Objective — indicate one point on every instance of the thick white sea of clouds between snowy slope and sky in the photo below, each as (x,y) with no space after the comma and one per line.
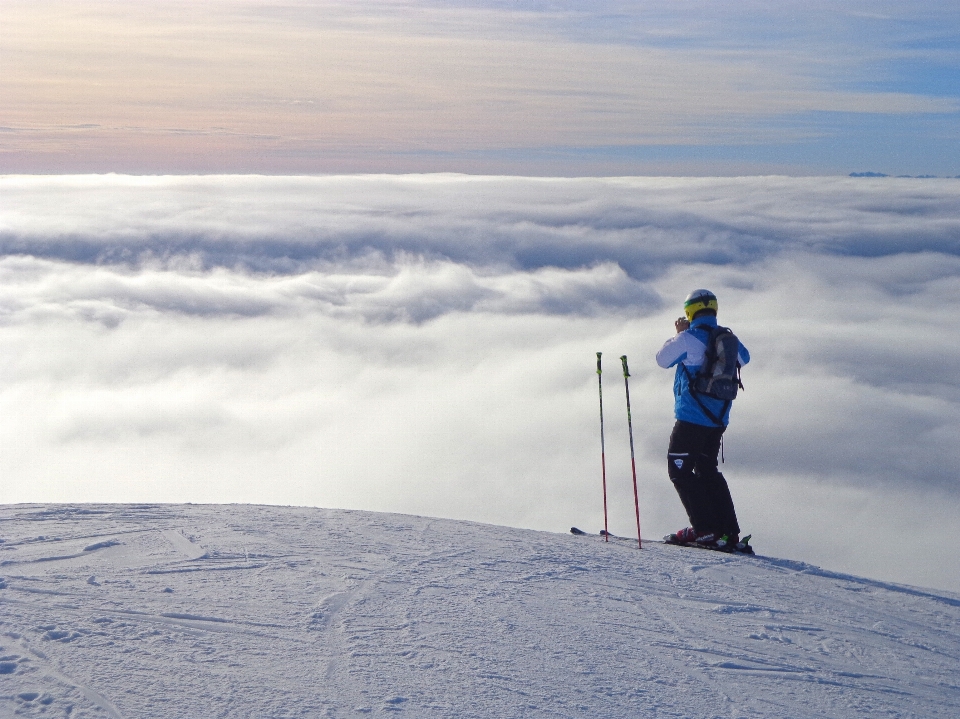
(427,344)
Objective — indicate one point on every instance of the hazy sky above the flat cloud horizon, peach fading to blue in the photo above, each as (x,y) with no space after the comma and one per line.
(536,88)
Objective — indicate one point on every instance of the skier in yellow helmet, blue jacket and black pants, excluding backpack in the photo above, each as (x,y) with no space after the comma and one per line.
(701,420)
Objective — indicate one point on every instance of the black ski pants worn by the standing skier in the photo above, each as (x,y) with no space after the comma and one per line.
(692,465)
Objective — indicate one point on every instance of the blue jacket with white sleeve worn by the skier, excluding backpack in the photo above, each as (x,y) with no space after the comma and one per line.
(686,350)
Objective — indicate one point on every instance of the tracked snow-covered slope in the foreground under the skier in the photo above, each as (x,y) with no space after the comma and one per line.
(197,611)
